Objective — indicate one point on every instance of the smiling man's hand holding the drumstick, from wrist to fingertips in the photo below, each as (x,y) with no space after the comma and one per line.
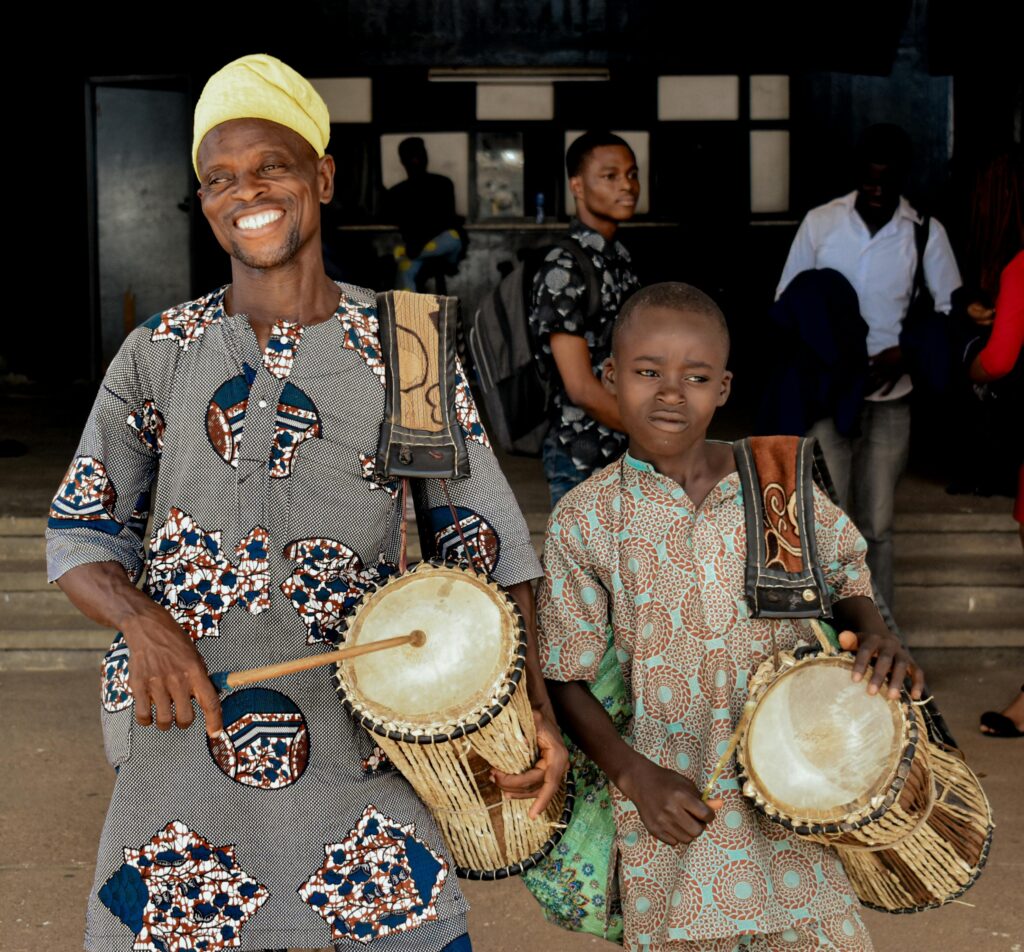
(166,672)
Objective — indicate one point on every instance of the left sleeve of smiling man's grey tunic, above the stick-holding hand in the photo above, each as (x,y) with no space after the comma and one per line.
(101,508)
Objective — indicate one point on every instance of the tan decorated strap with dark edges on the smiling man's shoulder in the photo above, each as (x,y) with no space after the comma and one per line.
(420,437)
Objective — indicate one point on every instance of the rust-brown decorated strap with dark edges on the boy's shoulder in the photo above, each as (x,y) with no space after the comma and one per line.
(784,578)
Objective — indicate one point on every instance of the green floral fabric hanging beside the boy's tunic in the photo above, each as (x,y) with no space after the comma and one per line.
(577,886)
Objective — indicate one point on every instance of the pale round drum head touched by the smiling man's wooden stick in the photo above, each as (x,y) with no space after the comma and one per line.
(473,637)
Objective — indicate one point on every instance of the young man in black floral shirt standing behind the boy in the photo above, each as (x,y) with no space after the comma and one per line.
(575,334)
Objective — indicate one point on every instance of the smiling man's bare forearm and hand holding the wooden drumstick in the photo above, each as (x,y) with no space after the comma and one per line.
(165,671)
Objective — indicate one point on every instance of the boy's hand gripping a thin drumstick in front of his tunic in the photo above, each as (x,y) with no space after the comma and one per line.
(669,804)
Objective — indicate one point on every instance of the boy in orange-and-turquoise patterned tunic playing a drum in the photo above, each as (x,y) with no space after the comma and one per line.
(655,544)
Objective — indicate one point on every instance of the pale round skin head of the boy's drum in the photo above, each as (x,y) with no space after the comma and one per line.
(820,747)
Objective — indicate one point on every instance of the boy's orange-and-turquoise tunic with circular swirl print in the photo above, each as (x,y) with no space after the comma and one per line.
(628,548)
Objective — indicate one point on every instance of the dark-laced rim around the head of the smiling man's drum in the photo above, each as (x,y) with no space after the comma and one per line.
(483,717)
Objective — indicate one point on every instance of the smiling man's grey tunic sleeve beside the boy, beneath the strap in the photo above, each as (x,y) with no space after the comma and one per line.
(489,516)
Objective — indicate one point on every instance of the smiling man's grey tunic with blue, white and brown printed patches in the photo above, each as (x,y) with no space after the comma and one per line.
(287,831)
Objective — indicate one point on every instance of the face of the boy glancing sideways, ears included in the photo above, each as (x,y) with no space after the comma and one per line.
(669,376)
